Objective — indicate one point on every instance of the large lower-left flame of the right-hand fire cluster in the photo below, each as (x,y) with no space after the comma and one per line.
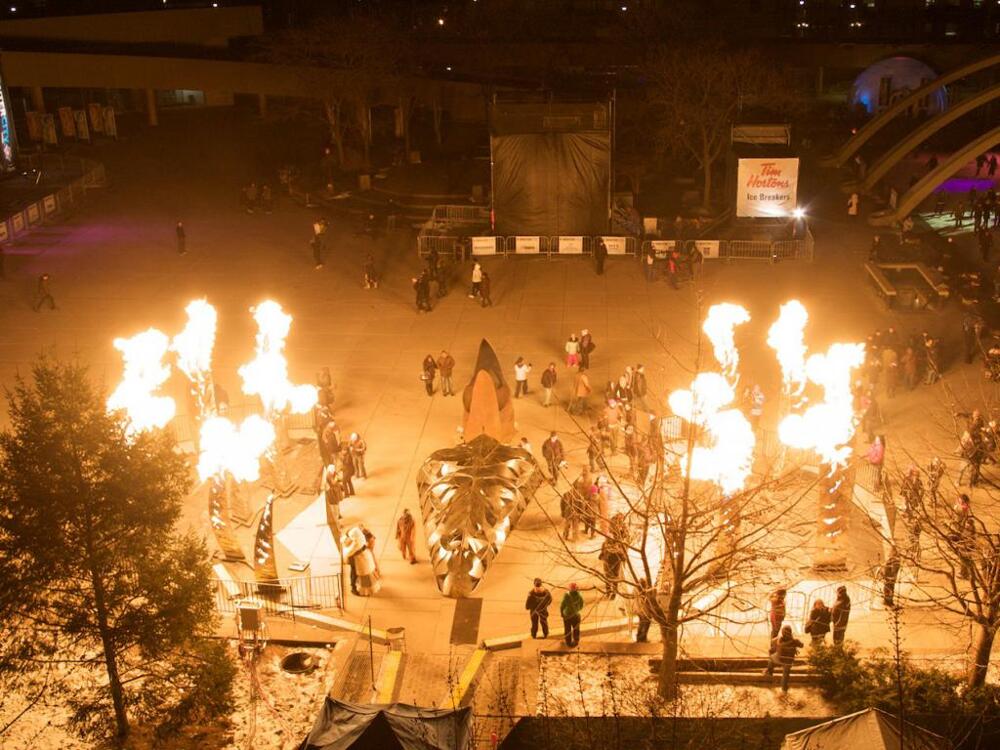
(728,459)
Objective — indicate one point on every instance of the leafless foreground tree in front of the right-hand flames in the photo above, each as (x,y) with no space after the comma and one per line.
(699,548)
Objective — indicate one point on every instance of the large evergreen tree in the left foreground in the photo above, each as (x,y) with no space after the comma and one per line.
(94,568)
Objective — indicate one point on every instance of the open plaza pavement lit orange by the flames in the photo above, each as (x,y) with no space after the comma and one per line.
(115,272)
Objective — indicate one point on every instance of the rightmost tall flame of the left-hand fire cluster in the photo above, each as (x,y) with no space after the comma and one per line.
(267,374)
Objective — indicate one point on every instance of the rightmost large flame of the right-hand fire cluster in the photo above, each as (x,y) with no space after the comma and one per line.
(827,427)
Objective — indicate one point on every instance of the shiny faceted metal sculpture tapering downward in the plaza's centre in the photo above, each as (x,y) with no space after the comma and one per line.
(471,497)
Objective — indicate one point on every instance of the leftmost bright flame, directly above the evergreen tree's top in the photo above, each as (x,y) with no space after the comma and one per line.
(144,373)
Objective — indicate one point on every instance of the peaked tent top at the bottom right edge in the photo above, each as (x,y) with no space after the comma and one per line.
(870,729)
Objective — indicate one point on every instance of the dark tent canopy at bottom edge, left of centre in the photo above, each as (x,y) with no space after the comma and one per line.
(398,726)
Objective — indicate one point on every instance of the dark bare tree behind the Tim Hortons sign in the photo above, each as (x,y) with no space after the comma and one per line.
(699,91)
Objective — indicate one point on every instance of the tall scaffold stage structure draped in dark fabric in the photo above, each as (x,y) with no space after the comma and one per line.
(551,167)
